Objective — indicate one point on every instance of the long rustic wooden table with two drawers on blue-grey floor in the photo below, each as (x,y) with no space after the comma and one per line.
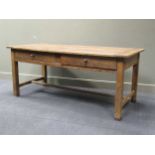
(81,57)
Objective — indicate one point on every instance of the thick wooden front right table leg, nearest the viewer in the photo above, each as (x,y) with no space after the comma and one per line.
(119,90)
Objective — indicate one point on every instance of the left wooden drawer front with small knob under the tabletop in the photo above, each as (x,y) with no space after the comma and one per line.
(38,58)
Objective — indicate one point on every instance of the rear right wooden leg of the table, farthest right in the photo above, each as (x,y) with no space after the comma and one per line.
(134,81)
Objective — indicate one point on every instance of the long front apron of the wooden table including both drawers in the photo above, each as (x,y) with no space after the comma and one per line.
(62,60)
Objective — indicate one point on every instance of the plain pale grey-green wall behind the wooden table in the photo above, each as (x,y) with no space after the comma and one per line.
(122,33)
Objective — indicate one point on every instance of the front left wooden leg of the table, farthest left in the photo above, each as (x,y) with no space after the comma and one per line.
(15,76)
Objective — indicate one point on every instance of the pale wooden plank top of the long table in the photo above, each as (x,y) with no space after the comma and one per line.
(80,50)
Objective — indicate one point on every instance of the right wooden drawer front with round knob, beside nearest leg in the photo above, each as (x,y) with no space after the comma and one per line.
(88,62)
